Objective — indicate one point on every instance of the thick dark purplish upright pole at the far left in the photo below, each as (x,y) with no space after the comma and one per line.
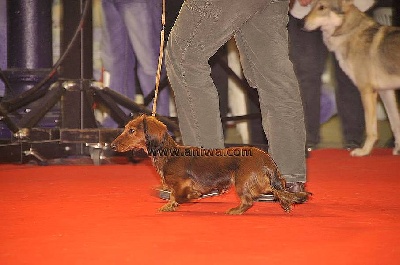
(29,44)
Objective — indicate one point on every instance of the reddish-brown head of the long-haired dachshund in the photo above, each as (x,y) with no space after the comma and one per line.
(144,132)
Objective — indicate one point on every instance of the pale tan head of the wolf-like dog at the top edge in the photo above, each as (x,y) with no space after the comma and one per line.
(327,15)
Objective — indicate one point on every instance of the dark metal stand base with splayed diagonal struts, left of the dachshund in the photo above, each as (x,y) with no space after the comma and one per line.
(88,137)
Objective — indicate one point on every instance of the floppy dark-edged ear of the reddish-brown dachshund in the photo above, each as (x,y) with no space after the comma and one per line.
(155,133)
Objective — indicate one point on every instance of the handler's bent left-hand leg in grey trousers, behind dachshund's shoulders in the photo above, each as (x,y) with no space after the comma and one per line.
(201,28)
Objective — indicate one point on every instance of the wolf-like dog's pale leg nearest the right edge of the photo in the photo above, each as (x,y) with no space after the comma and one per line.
(389,101)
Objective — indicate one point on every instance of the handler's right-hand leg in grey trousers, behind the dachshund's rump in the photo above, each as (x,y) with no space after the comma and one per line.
(263,45)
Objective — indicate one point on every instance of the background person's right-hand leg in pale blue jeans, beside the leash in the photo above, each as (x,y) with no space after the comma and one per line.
(142,20)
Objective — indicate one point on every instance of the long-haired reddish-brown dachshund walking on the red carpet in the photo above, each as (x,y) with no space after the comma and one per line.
(190,172)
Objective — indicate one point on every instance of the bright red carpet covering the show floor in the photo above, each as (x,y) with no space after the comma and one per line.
(108,215)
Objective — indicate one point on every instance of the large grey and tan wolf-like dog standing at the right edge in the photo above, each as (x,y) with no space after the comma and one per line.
(369,53)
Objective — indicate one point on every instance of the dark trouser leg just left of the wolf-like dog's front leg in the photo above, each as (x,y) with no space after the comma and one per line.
(350,109)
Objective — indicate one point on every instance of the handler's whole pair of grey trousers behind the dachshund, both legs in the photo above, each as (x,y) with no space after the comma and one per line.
(259,28)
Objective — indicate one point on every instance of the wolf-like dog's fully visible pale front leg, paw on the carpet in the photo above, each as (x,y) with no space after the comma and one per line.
(369,100)
